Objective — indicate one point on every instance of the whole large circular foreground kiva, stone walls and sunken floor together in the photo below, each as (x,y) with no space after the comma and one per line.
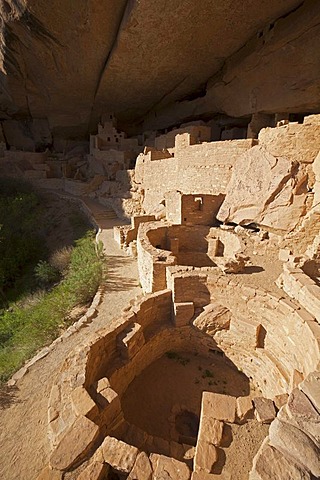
(264,343)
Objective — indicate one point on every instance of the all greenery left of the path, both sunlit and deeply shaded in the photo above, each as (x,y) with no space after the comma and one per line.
(32,317)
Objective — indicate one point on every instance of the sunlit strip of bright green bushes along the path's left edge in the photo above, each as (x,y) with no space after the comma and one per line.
(24,330)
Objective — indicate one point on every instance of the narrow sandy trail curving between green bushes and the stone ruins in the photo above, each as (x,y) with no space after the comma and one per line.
(24,449)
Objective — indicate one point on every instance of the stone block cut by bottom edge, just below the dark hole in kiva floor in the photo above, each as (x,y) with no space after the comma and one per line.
(169,467)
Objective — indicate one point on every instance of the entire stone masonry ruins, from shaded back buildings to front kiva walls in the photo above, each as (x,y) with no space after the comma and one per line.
(194,269)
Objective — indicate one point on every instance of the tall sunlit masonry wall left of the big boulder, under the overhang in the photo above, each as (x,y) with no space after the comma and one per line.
(204,168)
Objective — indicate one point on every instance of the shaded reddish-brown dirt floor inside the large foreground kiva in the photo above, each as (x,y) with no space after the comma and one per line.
(170,383)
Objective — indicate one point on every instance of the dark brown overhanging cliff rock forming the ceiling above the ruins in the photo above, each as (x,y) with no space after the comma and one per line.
(156,63)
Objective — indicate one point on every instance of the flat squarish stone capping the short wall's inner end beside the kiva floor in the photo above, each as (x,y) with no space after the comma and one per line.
(221,407)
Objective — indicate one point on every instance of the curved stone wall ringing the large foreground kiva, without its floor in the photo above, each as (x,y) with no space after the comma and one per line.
(273,341)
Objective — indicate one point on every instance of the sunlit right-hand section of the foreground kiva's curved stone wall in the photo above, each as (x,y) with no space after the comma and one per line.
(271,339)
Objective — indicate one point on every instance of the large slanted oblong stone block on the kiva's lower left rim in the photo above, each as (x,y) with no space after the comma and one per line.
(75,444)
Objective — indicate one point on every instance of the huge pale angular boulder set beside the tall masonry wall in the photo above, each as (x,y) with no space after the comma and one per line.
(263,190)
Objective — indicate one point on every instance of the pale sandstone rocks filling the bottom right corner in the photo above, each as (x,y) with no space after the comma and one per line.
(292,448)
